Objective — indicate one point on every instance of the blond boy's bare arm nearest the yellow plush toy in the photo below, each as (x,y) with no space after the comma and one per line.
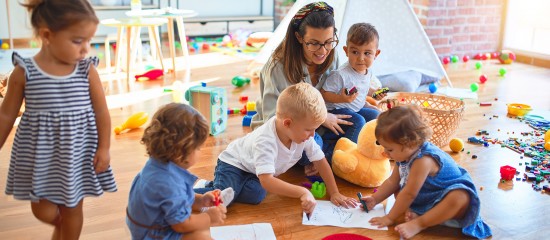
(335,196)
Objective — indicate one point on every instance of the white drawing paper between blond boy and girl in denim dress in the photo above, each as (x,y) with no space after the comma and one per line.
(327,214)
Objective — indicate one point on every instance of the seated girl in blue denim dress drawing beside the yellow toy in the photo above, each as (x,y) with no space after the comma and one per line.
(429,187)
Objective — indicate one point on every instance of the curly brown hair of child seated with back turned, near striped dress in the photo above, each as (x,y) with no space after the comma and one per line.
(175,131)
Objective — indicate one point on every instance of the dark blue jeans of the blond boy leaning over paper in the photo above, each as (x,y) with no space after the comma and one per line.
(246,185)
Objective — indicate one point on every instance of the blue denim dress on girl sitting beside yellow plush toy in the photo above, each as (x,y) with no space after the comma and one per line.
(450,177)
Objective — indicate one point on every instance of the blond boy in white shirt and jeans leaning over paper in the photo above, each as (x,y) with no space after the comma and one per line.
(251,164)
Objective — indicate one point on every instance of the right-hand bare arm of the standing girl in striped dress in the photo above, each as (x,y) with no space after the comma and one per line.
(103,122)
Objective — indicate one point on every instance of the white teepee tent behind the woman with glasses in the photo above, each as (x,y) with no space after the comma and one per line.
(403,41)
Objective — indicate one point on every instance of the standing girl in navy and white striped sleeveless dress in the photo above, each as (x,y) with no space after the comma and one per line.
(60,152)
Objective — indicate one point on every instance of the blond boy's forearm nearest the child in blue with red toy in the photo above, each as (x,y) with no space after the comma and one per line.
(278,186)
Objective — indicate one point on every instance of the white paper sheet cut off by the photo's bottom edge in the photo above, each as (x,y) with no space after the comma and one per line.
(244,232)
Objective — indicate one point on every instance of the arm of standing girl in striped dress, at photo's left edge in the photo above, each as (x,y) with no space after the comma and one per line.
(12,103)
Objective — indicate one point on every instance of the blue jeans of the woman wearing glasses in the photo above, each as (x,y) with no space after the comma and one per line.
(351,131)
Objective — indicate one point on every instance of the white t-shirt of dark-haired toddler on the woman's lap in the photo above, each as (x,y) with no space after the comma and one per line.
(346,77)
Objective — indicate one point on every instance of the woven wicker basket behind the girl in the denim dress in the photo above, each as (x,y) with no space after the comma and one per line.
(444,113)
